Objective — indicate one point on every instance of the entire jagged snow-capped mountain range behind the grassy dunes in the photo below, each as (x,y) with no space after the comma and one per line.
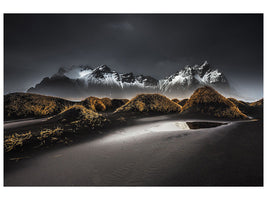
(84,81)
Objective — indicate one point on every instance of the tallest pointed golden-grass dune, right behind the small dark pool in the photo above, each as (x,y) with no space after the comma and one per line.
(206,101)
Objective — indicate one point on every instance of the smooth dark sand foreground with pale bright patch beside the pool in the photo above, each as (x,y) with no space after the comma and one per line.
(153,153)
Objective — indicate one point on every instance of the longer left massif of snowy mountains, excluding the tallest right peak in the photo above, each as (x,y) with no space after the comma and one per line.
(83,81)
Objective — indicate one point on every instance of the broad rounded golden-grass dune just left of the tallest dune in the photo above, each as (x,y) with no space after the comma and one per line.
(154,103)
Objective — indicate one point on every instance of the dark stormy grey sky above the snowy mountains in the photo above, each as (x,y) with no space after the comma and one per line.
(157,45)
